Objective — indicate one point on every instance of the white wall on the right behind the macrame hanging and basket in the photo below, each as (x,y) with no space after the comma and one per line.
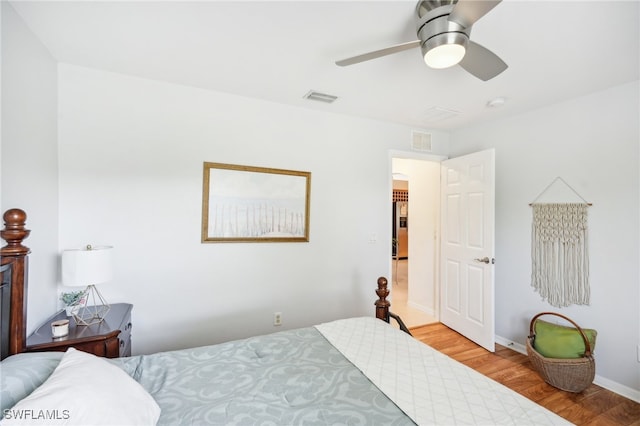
(593,144)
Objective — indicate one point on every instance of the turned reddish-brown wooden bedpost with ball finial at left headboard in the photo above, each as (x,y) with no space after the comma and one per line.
(15,254)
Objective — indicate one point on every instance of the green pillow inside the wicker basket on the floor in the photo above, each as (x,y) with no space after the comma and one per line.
(557,341)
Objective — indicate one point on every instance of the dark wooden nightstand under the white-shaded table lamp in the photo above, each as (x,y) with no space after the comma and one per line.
(111,338)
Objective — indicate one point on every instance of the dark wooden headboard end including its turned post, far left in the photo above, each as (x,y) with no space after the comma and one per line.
(14,259)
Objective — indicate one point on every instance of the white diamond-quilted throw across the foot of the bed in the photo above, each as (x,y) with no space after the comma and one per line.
(430,387)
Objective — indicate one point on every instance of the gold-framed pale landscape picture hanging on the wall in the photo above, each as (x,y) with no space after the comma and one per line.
(254,204)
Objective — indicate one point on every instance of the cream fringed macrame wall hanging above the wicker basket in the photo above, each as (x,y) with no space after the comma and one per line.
(559,251)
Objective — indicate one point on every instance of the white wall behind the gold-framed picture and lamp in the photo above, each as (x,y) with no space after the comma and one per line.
(131,154)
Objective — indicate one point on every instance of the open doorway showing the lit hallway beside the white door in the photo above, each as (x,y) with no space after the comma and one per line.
(414,292)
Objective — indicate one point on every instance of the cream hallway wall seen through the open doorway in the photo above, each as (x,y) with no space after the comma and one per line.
(423,219)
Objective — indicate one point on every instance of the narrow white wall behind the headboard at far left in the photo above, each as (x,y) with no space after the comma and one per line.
(29,167)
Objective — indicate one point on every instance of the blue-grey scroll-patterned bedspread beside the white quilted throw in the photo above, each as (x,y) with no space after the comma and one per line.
(287,378)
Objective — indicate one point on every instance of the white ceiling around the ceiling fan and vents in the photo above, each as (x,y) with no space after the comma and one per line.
(278,51)
